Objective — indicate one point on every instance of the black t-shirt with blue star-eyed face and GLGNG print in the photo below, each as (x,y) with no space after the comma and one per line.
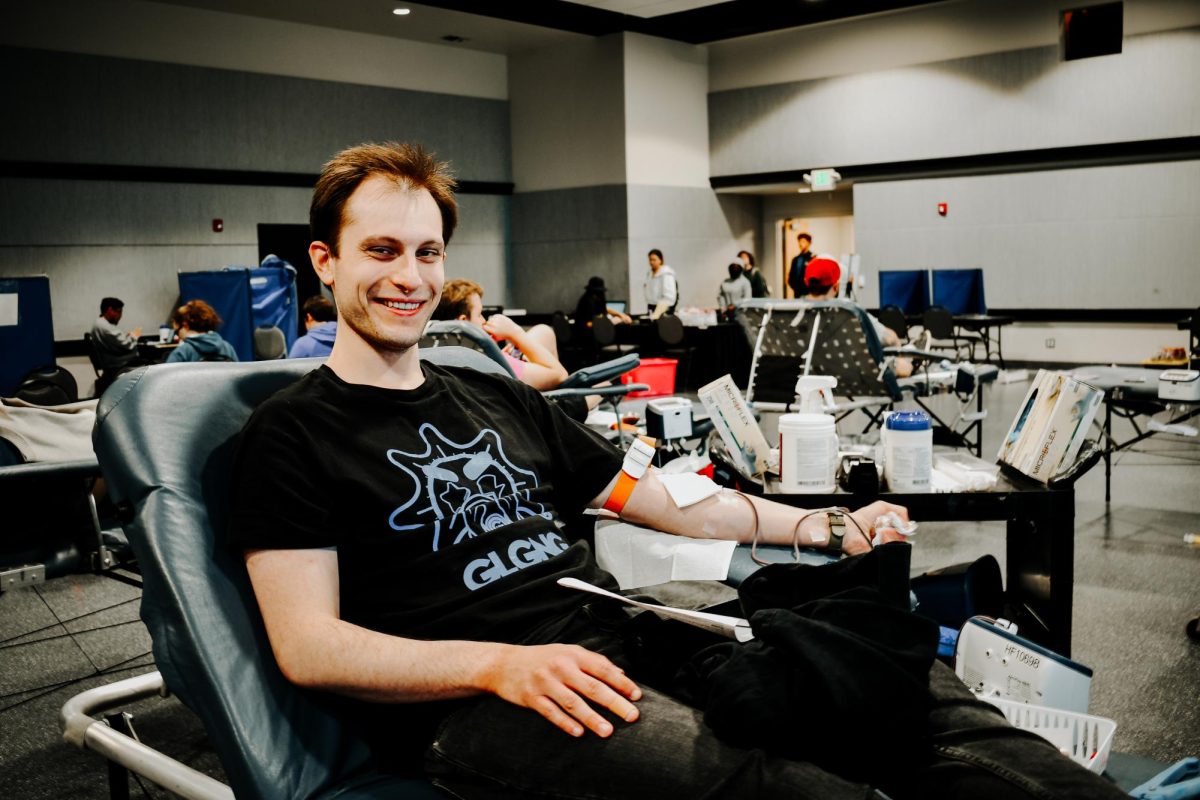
(445,502)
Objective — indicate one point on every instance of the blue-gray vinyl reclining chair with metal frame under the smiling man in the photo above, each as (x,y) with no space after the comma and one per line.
(274,741)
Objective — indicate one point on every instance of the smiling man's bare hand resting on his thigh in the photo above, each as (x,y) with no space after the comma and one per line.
(560,682)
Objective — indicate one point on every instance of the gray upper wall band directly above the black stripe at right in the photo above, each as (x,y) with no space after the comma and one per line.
(1001,103)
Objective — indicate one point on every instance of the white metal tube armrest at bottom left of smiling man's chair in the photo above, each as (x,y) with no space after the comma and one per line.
(83,731)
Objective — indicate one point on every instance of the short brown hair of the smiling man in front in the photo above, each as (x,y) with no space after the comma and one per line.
(407,165)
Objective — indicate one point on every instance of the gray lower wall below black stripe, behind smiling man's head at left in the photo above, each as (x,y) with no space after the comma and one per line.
(98,238)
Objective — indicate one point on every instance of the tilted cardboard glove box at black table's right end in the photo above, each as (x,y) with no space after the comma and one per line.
(1051,429)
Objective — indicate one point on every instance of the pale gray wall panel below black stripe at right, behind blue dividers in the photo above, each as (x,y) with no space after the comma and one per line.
(1103,238)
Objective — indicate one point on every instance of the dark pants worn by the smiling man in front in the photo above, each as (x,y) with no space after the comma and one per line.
(491,749)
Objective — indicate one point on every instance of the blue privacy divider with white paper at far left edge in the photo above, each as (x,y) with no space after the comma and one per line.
(27,329)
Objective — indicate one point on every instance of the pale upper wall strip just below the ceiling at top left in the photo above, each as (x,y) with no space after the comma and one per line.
(154,32)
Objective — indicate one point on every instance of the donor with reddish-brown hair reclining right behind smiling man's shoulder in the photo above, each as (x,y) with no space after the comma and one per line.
(532,354)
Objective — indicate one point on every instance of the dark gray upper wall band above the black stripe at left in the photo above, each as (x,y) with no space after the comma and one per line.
(86,109)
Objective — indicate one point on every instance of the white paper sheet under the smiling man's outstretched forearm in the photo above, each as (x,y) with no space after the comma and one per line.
(640,557)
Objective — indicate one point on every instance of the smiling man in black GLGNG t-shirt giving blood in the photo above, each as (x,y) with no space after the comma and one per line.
(403,536)
